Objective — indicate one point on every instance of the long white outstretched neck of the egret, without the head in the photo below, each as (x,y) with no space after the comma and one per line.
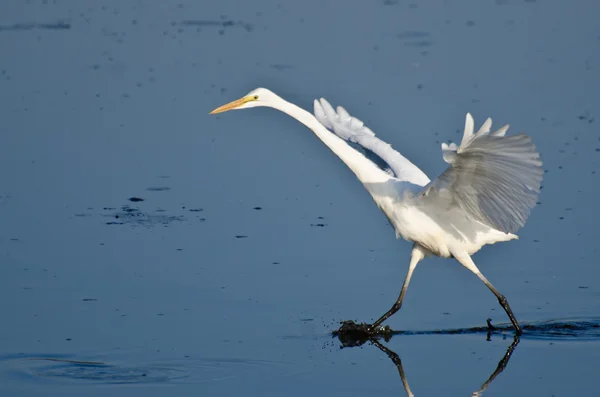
(363,168)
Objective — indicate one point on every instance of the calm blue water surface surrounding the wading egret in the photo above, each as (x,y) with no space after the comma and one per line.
(252,240)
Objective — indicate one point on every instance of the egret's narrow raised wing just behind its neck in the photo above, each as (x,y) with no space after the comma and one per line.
(353,130)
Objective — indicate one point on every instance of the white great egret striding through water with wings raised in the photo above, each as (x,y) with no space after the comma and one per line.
(483,197)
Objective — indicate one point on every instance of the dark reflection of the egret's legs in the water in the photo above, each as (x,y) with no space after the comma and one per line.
(398,362)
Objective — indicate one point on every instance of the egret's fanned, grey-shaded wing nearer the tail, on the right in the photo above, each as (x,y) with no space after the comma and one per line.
(495,179)
